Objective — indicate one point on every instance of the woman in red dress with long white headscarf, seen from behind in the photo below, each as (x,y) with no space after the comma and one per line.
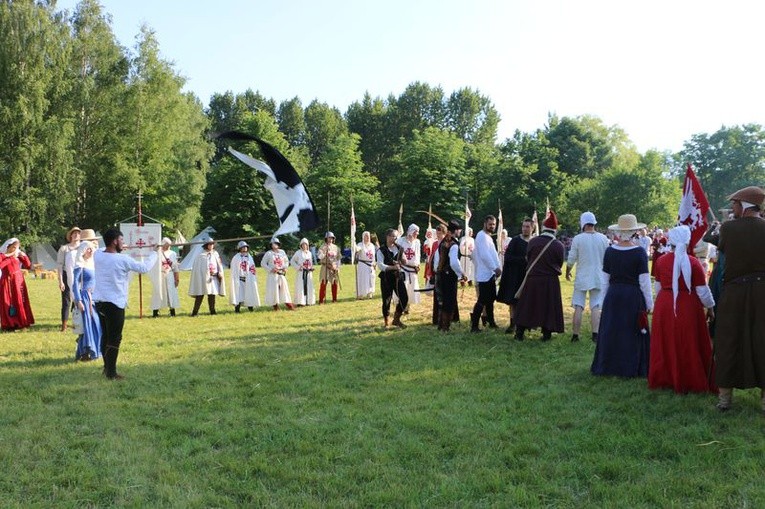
(681,350)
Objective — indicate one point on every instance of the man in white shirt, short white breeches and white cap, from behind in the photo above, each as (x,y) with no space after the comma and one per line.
(587,250)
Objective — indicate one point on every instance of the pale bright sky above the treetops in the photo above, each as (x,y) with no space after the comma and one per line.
(662,70)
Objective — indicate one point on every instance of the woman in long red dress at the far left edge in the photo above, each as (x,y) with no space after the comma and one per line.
(15,311)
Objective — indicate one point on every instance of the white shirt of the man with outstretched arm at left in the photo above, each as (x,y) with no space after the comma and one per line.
(112,271)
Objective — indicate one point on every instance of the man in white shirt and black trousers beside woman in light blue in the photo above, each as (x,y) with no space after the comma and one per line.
(111,292)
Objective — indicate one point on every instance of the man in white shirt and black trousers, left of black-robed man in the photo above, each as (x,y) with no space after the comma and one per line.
(487,269)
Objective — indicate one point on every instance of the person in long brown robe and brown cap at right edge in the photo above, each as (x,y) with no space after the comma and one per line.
(740,324)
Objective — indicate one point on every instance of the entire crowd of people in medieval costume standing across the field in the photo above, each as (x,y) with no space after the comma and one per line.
(690,305)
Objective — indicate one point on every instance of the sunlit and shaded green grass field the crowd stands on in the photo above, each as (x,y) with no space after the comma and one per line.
(323,407)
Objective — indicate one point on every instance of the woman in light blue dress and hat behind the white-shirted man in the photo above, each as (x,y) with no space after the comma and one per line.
(89,340)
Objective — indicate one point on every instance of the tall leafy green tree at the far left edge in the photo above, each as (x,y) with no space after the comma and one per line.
(35,133)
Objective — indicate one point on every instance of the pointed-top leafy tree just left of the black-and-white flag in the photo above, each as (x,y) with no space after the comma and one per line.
(165,153)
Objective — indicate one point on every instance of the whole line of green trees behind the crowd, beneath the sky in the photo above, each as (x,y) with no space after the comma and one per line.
(86,123)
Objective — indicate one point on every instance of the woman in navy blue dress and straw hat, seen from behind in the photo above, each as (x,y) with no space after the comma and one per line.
(623,339)
